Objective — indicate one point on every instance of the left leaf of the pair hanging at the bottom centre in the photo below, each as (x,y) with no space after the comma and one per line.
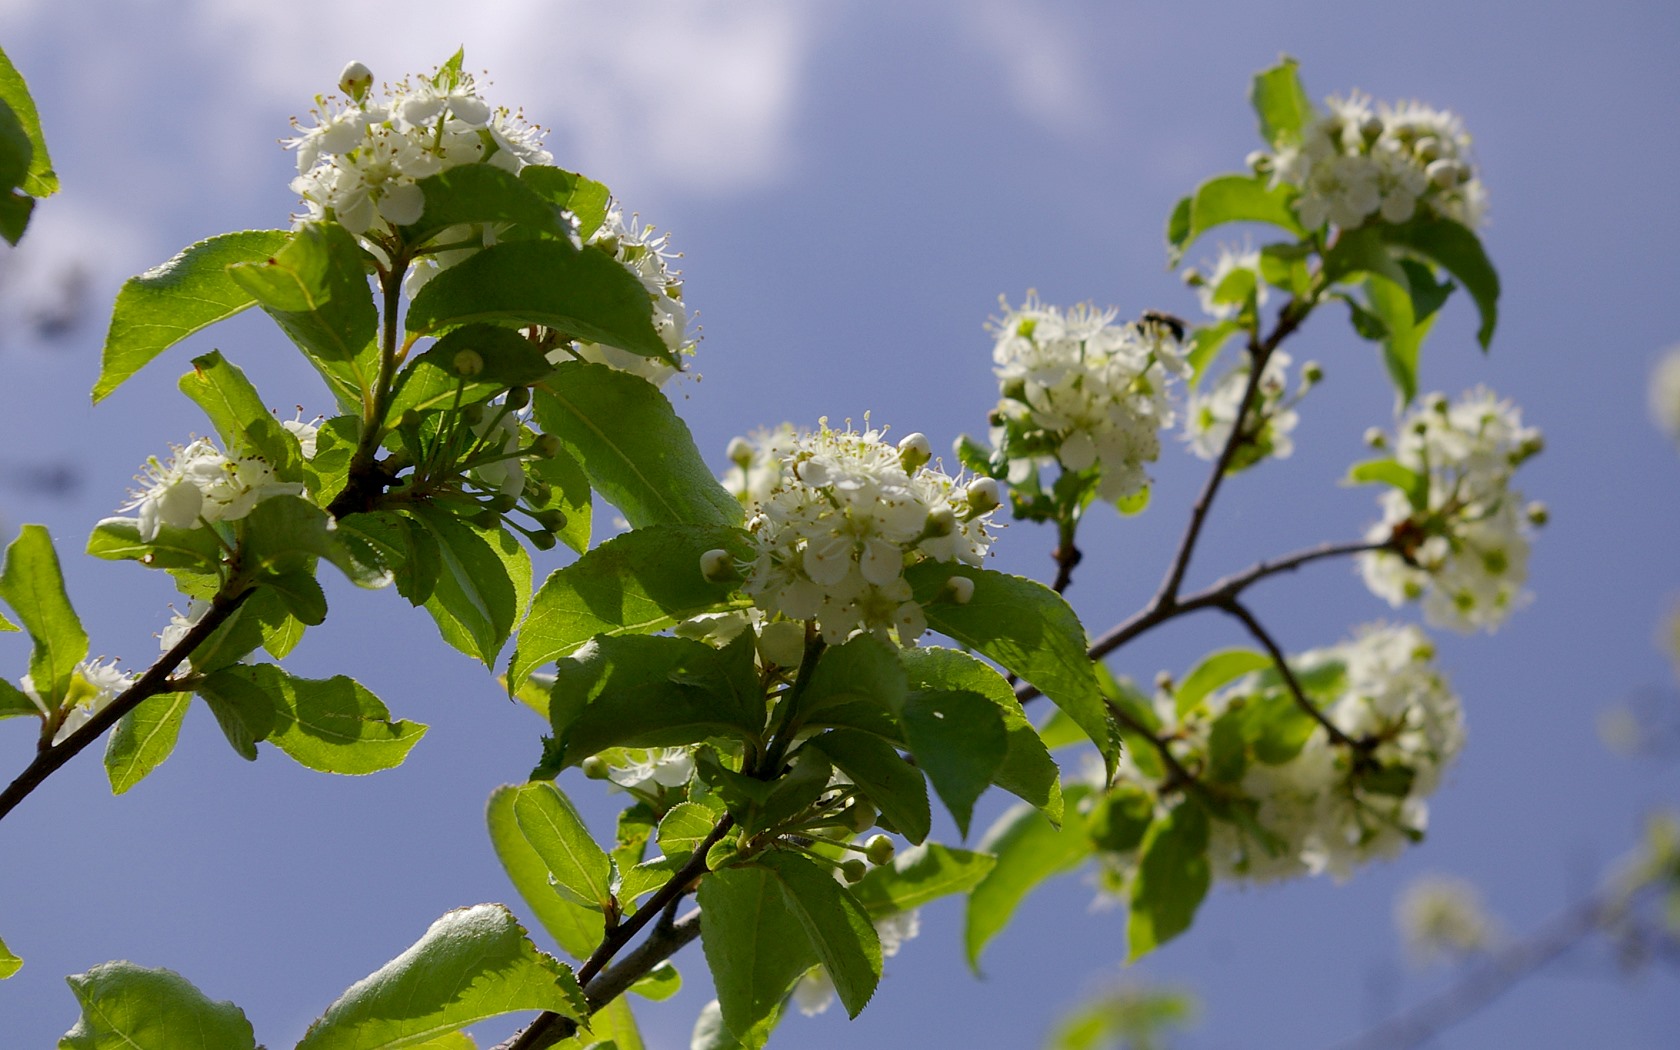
(755,945)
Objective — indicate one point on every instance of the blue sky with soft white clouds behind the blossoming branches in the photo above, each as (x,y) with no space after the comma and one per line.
(854,186)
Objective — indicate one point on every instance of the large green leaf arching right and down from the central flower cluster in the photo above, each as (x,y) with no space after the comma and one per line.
(1031,631)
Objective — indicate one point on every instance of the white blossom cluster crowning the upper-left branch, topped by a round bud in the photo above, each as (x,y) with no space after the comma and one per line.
(362,160)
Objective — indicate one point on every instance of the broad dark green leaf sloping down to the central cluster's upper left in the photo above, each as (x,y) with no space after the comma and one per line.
(638,453)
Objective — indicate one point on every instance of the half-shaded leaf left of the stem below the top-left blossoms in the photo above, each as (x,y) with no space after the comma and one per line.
(317,290)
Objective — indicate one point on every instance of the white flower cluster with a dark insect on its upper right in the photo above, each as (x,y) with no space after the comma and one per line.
(1081,391)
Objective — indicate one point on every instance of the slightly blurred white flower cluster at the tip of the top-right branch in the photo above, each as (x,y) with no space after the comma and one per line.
(1389,164)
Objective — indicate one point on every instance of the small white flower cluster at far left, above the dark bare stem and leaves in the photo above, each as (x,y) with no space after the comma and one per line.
(201,485)
